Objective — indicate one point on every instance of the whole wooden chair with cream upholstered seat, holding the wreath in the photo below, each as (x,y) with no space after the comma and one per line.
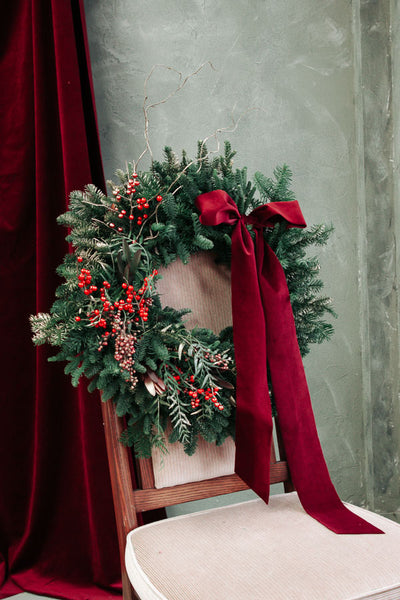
(246,551)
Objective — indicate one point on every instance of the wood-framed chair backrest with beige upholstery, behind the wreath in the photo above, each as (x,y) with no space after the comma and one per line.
(174,478)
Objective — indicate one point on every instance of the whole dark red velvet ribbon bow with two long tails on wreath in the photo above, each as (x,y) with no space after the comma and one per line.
(264,332)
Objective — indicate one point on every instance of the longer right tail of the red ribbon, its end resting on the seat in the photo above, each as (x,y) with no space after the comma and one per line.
(303,450)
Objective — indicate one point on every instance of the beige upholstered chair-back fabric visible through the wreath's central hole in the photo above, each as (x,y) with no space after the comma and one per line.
(202,286)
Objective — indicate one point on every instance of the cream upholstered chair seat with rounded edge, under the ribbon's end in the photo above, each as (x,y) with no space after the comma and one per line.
(254,551)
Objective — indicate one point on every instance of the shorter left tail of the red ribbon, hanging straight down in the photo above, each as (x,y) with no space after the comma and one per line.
(253,406)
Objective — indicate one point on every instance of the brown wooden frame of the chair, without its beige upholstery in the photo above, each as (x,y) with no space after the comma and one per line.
(129,501)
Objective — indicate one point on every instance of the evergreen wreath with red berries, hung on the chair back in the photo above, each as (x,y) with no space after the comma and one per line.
(108,319)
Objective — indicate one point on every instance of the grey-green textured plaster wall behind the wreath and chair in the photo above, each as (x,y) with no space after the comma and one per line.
(307,84)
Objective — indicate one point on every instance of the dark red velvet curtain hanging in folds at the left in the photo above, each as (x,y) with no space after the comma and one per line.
(57,530)
